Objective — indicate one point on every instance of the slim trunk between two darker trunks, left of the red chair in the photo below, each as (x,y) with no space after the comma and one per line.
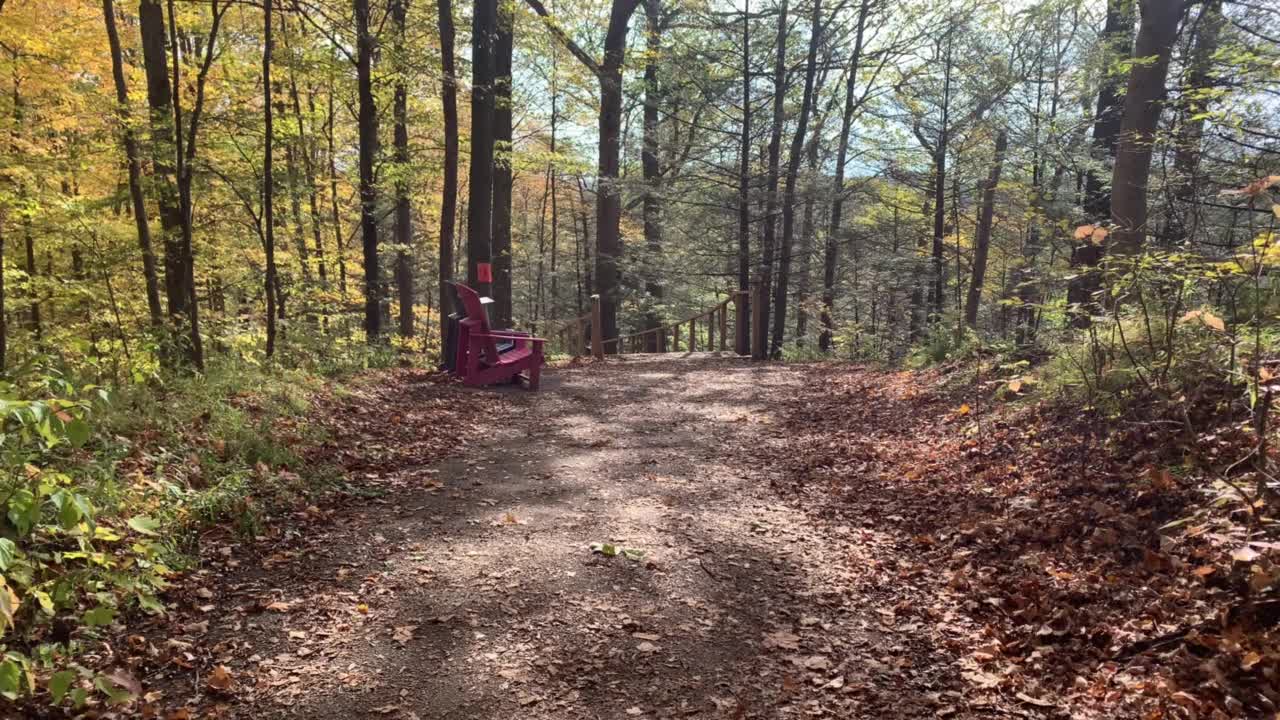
(404,215)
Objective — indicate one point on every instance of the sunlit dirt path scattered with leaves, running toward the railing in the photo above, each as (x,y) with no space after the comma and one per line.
(469,590)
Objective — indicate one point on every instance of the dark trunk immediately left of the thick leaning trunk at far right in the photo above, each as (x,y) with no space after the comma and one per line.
(1118,44)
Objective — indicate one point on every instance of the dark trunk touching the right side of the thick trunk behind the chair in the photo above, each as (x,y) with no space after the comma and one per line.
(502,171)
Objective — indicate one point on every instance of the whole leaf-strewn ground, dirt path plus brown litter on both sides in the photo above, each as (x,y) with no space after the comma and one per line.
(710,539)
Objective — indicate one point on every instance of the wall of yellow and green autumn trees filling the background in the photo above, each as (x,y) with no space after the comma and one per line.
(893,175)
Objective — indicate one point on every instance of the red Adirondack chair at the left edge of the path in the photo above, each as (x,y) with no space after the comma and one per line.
(479,362)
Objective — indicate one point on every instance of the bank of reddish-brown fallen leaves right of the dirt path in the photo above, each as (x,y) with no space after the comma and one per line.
(1062,568)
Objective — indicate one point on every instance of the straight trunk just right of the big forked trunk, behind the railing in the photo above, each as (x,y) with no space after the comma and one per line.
(652,176)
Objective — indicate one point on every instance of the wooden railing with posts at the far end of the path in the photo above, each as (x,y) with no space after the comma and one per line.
(582,336)
